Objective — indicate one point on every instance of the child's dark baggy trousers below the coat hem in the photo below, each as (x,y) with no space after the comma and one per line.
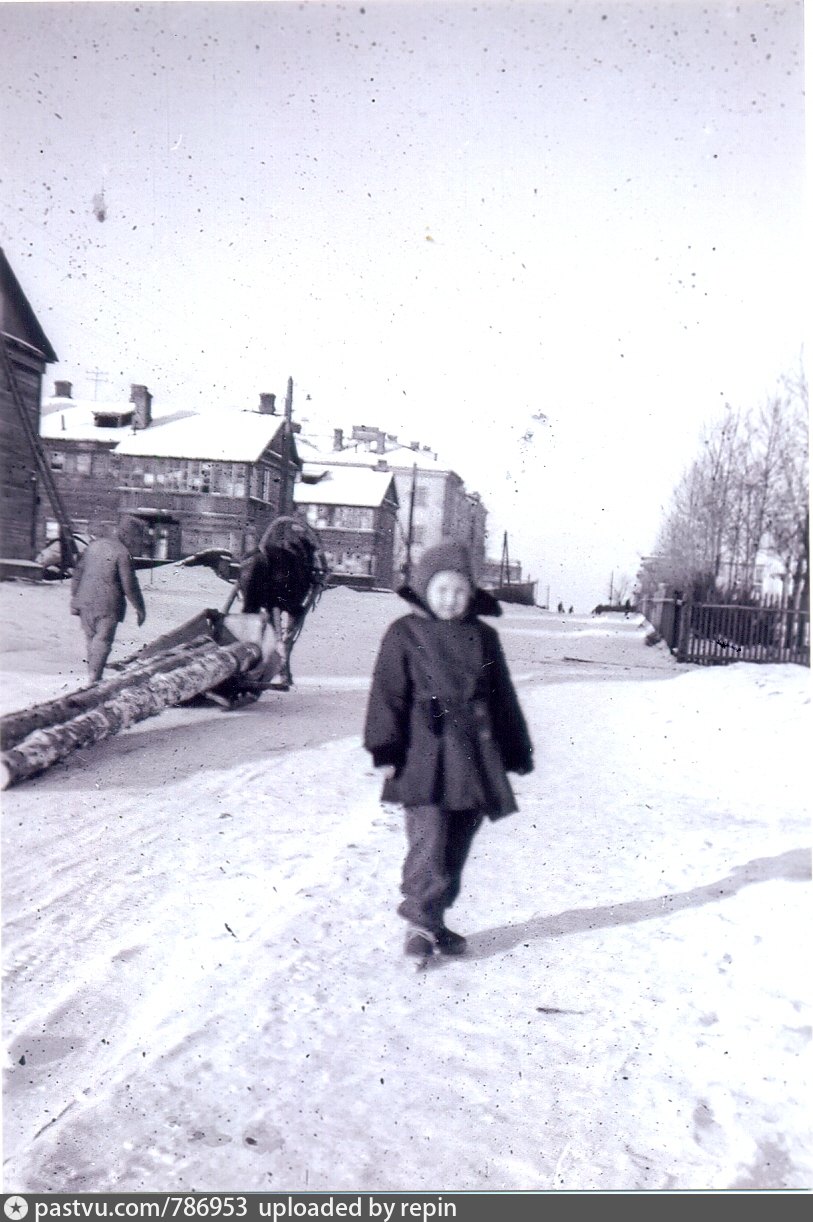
(438,844)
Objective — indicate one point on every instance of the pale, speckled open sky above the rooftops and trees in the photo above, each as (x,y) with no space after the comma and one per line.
(550,240)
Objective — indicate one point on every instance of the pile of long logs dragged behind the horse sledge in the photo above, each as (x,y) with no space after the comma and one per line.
(34,740)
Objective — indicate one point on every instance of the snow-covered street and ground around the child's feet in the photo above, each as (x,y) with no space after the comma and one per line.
(204,987)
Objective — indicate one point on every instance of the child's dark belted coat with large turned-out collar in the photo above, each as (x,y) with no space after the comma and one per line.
(444,712)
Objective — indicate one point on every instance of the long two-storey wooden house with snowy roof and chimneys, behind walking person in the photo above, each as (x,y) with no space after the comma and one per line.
(197,481)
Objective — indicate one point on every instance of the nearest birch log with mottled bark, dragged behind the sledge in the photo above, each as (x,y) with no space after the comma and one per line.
(144,697)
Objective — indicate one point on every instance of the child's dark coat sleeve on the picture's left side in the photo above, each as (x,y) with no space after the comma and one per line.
(387,725)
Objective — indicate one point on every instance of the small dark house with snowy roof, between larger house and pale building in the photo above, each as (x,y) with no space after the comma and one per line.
(354,510)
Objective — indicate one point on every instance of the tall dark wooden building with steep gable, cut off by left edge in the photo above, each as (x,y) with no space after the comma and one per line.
(28,353)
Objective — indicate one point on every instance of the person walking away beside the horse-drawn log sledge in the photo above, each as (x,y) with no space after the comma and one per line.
(105,581)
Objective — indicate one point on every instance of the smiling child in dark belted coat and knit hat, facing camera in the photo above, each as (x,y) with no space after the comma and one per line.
(446,723)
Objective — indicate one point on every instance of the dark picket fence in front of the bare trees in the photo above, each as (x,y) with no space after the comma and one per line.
(718,634)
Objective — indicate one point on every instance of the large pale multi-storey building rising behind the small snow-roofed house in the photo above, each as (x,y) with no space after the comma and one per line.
(433,502)
